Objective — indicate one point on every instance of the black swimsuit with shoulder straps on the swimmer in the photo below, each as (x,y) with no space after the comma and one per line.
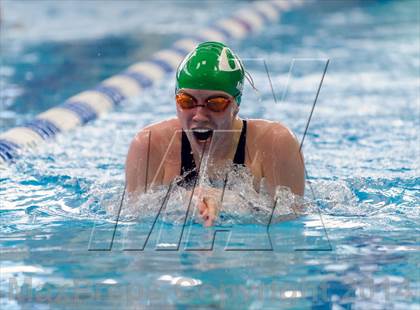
(188,167)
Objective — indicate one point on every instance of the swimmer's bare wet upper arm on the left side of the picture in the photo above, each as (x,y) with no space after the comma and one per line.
(142,164)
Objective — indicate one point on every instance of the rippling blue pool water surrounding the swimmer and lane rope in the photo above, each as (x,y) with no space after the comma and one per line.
(357,248)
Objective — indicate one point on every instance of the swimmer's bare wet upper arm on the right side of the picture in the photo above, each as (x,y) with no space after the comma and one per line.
(283,163)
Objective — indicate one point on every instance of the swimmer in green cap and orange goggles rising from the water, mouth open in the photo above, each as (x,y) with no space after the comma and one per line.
(209,84)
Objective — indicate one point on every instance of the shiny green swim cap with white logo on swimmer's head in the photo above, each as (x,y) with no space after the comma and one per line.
(212,66)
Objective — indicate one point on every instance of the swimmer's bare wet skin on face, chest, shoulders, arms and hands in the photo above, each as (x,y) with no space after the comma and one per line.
(272,151)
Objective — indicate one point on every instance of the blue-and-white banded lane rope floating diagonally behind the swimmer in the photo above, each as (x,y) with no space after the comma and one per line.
(91,104)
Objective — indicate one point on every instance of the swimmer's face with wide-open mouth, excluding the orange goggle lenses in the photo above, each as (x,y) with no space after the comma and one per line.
(201,118)
